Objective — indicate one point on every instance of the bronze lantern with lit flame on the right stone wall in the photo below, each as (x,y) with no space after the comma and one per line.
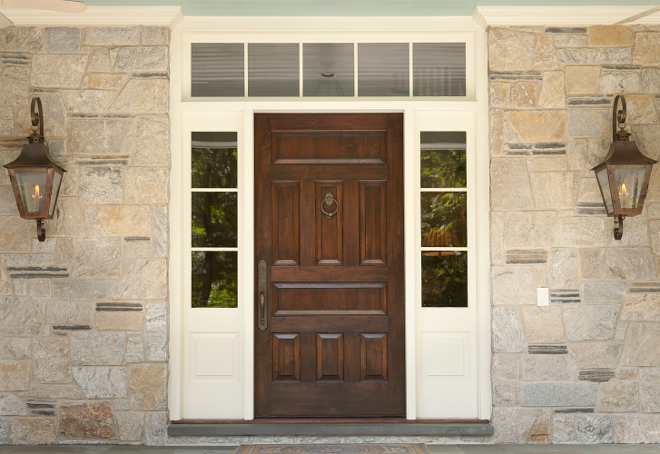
(624,176)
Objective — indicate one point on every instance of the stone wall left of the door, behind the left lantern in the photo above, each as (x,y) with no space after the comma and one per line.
(83,315)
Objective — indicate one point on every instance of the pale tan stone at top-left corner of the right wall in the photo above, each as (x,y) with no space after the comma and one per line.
(510,51)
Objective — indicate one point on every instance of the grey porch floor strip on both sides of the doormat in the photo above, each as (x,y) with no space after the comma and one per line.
(460,448)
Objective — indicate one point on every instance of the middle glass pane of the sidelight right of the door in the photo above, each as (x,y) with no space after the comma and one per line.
(444,220)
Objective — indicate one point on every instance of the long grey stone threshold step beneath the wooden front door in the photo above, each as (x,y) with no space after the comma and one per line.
(329,426)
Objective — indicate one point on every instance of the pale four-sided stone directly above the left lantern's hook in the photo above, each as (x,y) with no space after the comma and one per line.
(61,71)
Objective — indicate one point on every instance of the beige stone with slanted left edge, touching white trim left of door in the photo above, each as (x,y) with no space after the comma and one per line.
(142,96)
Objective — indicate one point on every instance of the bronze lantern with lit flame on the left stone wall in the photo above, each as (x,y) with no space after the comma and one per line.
(36,179)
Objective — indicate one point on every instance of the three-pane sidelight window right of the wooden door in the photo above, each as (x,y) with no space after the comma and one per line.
(443,193)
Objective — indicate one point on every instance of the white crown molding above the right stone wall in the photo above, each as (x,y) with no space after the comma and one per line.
(486,16)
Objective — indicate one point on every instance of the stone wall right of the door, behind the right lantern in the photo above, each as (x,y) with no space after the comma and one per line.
(586,369)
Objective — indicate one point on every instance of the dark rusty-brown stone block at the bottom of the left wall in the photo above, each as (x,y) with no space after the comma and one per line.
(86,419)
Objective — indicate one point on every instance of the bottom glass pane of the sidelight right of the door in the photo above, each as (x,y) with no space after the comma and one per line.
(444,279)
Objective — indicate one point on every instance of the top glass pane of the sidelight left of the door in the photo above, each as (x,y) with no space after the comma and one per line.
(214,160)
